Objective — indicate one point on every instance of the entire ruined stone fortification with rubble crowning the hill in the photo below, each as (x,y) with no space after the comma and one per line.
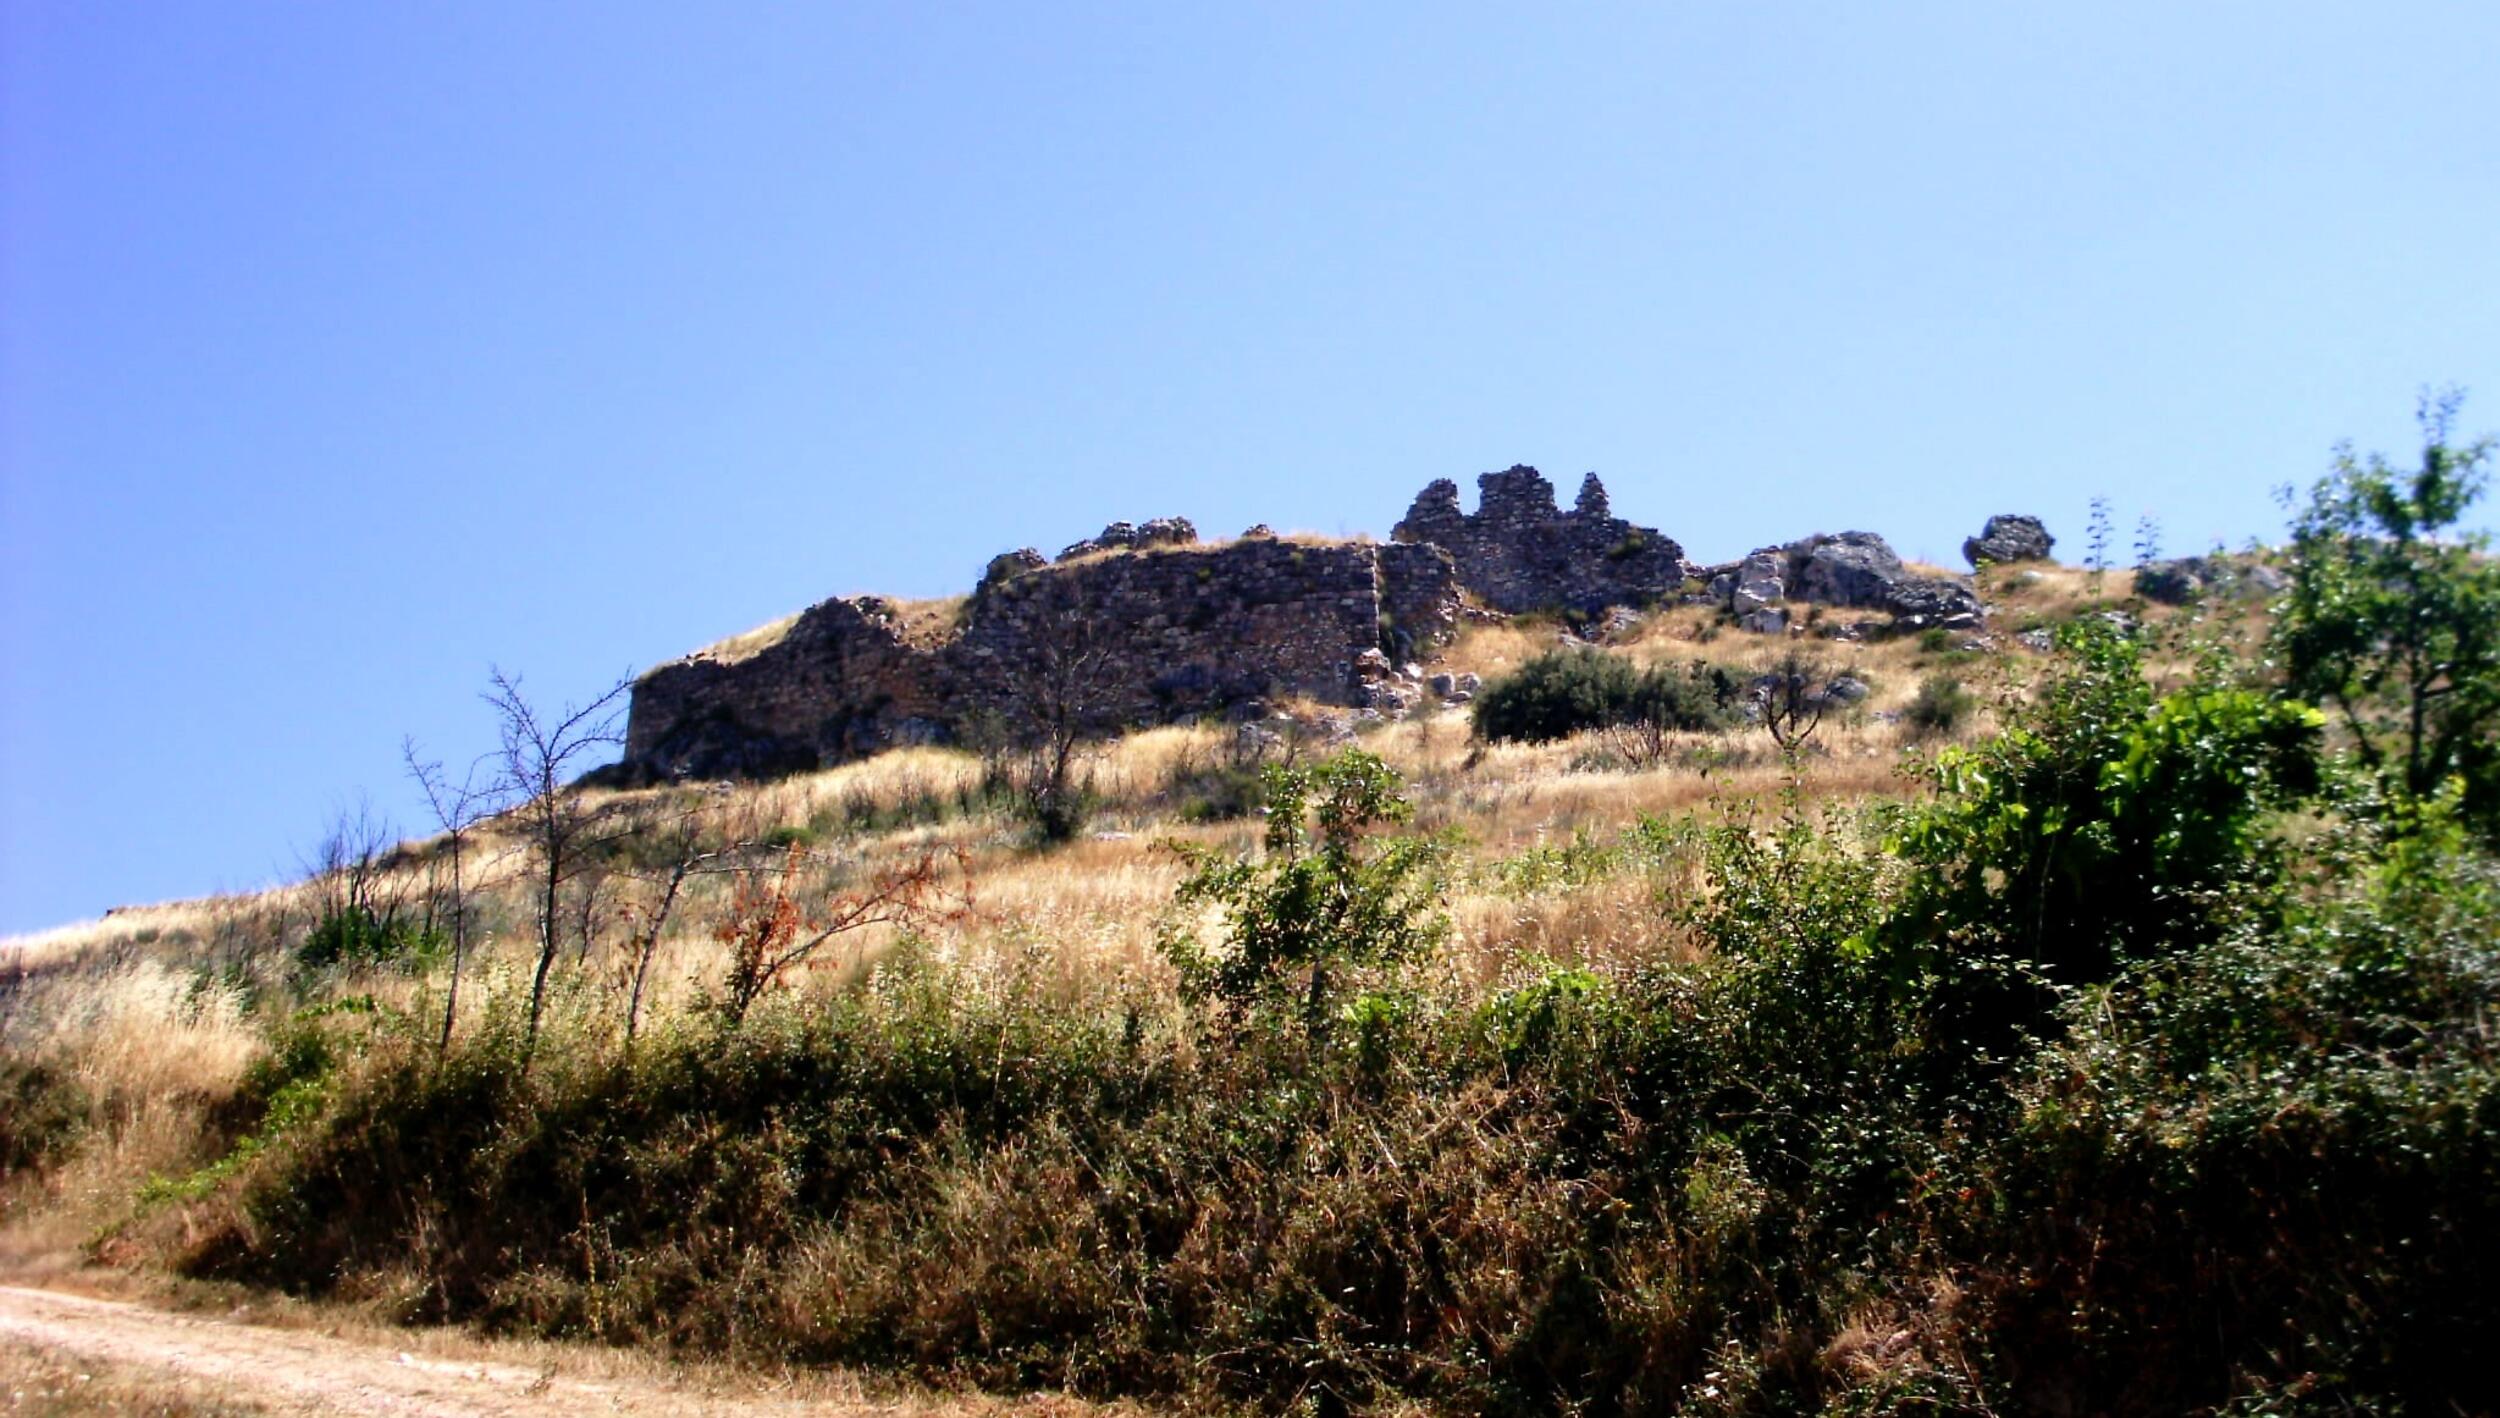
(1146,624)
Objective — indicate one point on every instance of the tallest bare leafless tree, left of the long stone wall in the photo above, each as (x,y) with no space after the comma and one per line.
(544,752)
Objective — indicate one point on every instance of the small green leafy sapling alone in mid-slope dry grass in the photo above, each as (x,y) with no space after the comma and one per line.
(1329,897)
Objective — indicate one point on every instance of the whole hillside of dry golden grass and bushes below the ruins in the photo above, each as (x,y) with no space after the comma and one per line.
(2089,1019)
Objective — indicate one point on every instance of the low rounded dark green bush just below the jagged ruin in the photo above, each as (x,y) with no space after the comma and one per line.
(1571,691)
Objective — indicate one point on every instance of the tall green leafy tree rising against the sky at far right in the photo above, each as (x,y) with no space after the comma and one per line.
(2394,616)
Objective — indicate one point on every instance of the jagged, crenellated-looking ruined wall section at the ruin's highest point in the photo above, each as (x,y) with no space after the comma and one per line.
(1519,551)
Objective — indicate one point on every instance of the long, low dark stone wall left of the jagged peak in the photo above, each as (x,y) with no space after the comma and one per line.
(1136,636)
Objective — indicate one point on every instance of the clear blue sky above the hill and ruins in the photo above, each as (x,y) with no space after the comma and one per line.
(351,349)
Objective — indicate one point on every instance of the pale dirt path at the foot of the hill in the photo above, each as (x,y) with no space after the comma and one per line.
(306,1372)
